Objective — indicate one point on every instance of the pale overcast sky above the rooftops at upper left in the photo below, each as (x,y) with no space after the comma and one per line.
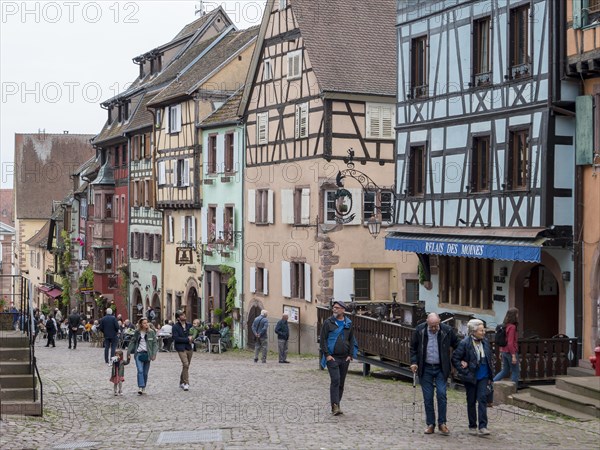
(60,60)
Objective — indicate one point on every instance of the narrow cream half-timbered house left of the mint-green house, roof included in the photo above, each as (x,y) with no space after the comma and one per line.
(208,73)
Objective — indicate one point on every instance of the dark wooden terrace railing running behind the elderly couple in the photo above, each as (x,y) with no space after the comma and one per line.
(540,359)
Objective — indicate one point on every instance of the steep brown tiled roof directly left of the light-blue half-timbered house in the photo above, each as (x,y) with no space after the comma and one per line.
(351,44)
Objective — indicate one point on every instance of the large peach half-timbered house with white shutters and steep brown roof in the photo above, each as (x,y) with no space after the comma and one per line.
(322,81)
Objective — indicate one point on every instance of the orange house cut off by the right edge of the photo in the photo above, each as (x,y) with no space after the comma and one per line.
(583,64)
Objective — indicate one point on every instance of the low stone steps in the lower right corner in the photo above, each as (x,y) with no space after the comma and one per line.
(577,397)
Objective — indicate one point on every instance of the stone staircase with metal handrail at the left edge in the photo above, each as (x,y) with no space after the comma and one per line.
(17,382)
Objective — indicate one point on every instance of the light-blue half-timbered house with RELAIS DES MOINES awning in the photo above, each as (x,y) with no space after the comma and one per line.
(485,158)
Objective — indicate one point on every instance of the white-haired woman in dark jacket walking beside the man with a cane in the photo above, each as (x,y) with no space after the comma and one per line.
(473,361)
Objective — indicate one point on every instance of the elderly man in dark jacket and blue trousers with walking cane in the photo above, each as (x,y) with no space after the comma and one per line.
(430,359)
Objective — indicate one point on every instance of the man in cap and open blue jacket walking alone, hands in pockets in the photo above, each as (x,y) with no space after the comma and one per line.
(338,347)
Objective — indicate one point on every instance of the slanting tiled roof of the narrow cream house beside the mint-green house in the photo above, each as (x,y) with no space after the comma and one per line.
(222,50)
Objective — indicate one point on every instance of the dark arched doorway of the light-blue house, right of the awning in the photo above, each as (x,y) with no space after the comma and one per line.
(540,311)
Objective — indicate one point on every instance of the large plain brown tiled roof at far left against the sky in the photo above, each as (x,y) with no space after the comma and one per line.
(46,162)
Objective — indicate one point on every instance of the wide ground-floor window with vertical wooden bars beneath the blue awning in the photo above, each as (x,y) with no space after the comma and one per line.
(466,281)
